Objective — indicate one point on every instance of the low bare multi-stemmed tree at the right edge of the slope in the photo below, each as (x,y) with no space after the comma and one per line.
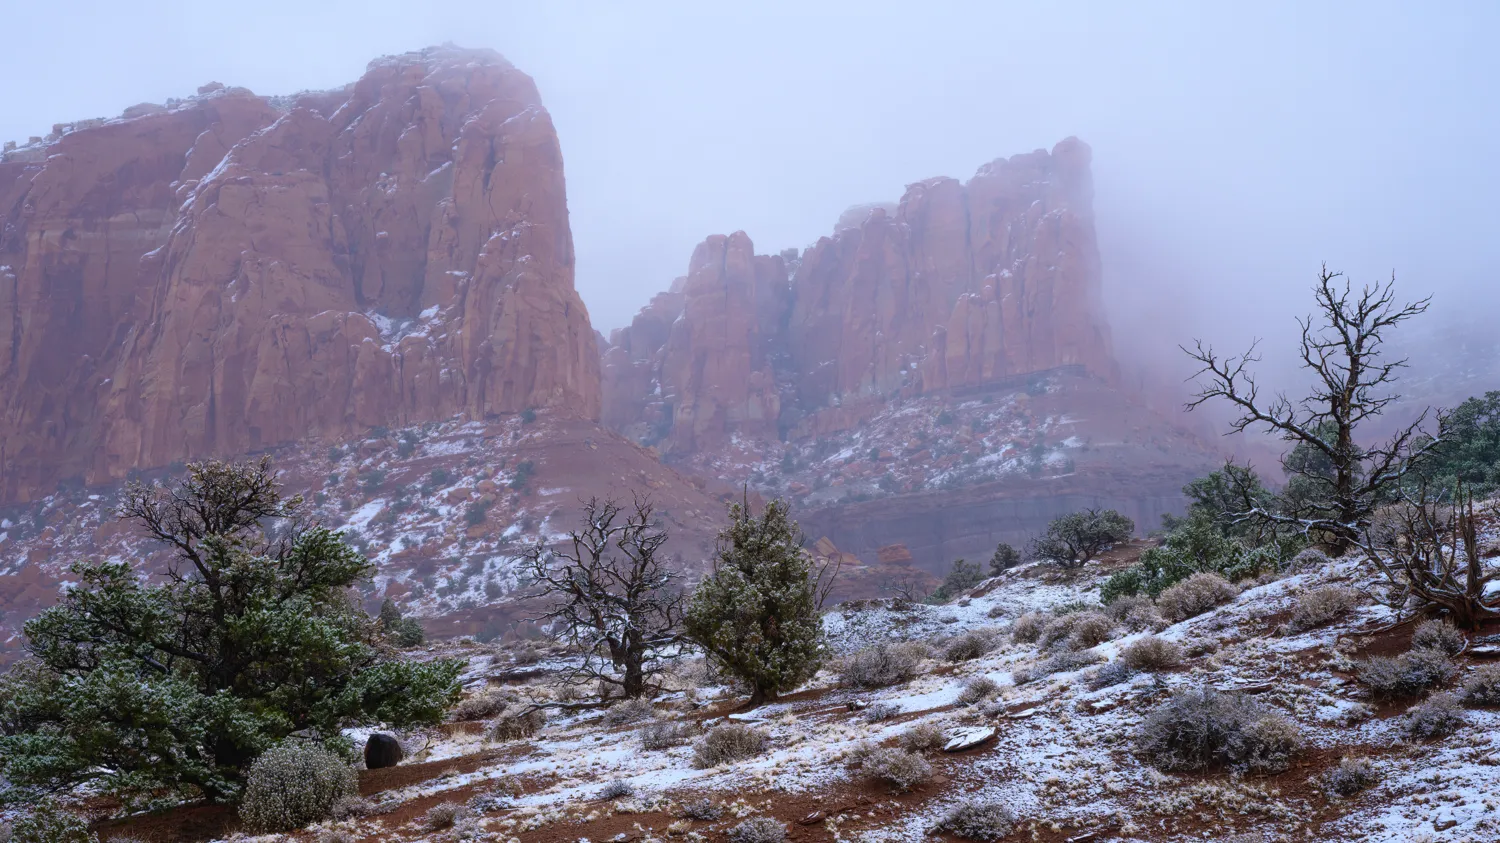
(1429,553)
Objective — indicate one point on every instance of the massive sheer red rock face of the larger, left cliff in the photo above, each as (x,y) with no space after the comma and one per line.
(235,272)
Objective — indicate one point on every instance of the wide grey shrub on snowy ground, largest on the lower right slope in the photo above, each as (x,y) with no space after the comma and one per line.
(1199,728)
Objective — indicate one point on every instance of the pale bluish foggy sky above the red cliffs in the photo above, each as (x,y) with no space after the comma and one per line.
(1234,151)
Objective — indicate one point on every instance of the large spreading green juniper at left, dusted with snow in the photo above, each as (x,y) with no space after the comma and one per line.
(173,686)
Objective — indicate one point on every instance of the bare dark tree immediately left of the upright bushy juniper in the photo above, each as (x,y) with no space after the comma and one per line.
(611,596)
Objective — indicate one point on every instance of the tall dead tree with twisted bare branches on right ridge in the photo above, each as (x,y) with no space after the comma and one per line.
(1343,482)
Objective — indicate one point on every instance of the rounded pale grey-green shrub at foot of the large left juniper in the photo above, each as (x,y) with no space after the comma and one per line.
(293,785)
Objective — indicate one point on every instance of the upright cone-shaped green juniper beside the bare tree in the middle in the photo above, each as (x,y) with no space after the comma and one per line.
(757,616)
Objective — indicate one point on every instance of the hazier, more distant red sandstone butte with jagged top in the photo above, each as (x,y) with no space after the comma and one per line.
(958,287)
